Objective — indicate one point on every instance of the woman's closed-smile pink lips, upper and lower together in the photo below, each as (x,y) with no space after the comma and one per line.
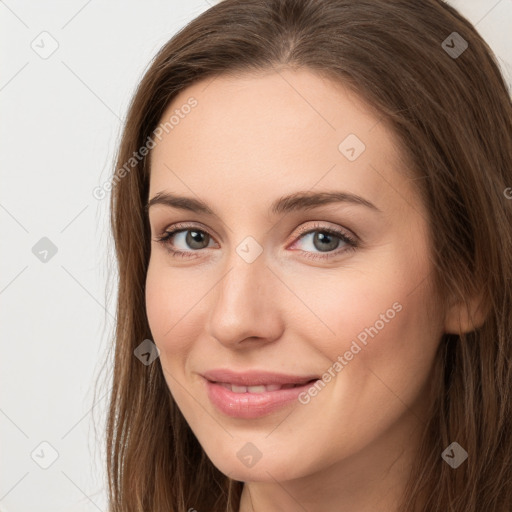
(252,405)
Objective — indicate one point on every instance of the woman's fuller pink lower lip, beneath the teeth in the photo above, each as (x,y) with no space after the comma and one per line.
(252,405)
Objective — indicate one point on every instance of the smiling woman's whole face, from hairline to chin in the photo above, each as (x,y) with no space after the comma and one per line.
(280,281)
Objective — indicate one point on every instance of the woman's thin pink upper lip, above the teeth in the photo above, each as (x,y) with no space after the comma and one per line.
(255,377)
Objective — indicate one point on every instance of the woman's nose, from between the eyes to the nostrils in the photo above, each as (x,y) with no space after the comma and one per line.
(246,305)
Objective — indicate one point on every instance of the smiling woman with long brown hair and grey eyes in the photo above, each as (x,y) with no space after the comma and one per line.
(312,228)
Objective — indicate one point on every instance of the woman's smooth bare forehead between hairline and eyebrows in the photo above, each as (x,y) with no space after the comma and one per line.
(272,133)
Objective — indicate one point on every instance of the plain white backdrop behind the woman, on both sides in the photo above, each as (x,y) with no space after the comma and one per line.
(68,72)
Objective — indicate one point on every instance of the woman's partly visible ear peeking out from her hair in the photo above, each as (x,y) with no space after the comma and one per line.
(465,316)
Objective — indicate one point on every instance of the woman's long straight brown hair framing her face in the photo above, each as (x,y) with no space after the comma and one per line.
(453,118)
